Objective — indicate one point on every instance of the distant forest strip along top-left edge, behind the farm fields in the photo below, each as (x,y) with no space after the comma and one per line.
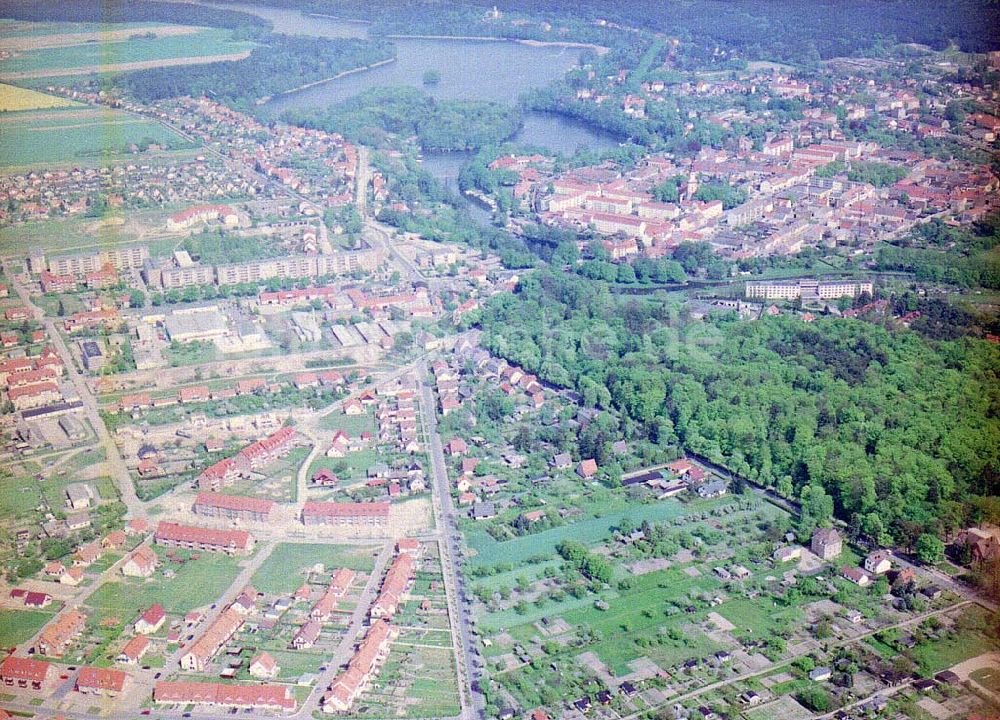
(133,11)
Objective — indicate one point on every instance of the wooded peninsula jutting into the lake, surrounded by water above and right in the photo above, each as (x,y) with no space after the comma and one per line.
(404,111)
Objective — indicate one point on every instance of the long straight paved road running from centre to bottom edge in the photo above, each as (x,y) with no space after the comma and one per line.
(458,610)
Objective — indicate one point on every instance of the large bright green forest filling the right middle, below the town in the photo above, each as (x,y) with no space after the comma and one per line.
(890,430)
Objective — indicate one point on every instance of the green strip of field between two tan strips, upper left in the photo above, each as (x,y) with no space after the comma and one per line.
(57,60)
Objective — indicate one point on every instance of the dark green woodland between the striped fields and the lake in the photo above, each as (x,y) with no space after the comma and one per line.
(279,64)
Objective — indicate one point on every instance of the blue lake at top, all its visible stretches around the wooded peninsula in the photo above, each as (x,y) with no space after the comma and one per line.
(494,70)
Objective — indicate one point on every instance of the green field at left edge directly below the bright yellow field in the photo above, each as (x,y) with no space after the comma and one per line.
(77,135)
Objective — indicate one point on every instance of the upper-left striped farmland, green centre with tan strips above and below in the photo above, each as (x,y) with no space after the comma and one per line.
(84,54)
